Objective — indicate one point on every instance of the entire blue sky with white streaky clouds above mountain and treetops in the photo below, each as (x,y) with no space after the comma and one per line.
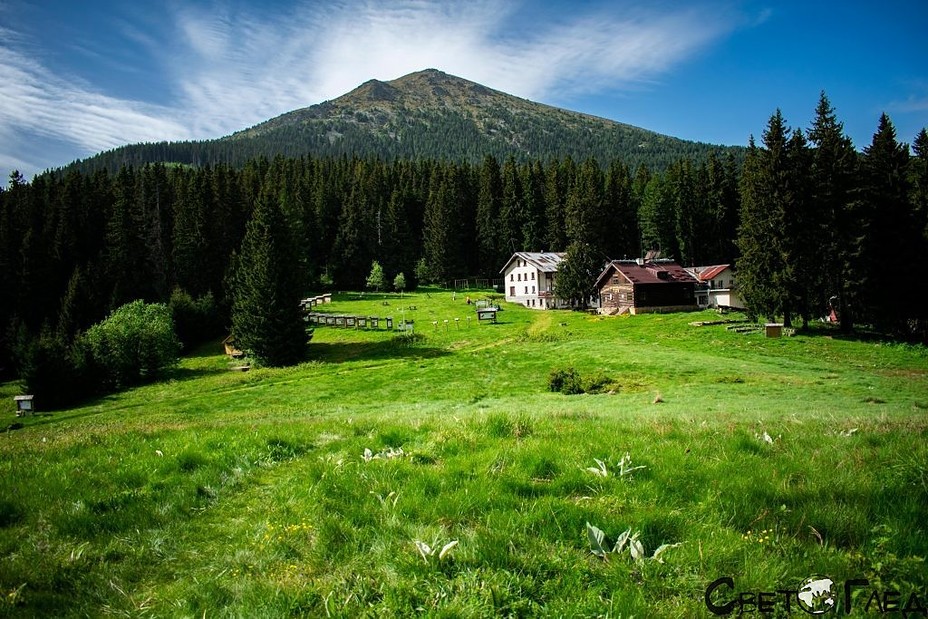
(80,77)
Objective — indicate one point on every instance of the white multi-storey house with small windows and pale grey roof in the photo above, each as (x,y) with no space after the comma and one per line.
(528,279)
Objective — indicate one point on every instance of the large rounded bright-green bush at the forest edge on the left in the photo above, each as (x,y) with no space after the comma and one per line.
(134,344)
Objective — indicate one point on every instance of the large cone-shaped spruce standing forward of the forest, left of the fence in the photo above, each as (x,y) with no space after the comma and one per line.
(266,319)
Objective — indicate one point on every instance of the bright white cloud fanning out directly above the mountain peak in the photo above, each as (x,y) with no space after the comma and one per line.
(241,69)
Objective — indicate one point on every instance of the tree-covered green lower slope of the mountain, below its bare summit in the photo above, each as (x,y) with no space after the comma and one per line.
(418,134)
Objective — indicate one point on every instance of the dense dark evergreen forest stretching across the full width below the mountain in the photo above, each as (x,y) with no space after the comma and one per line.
(806,219)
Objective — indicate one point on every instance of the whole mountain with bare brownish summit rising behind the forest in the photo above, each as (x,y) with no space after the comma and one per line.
(425,114)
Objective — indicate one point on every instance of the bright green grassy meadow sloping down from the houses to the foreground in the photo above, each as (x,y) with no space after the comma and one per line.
(436,474)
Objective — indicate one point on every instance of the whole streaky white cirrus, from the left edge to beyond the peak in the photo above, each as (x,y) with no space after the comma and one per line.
(230,69)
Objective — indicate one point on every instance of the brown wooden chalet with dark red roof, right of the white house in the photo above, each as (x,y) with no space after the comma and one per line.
(645,286)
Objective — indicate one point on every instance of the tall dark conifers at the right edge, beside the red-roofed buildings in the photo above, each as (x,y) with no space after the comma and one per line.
(824,227)
